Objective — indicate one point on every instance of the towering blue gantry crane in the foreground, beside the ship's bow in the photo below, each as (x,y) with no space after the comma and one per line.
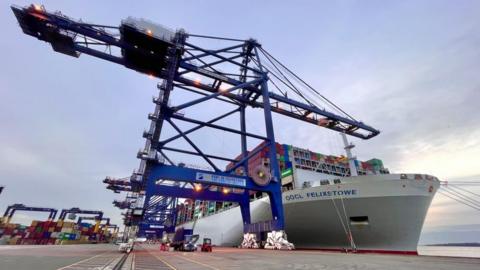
(240,75)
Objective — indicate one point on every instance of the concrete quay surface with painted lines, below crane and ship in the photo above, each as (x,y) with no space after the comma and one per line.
(150,257)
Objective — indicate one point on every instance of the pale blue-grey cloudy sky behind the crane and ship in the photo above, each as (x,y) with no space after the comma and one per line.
(407,68)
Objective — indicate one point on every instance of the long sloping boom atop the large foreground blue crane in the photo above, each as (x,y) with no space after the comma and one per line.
(145,52)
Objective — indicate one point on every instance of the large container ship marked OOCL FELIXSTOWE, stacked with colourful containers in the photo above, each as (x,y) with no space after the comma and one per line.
(330,203)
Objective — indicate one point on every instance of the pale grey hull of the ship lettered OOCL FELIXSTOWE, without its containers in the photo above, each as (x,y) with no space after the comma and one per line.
(383,213)
